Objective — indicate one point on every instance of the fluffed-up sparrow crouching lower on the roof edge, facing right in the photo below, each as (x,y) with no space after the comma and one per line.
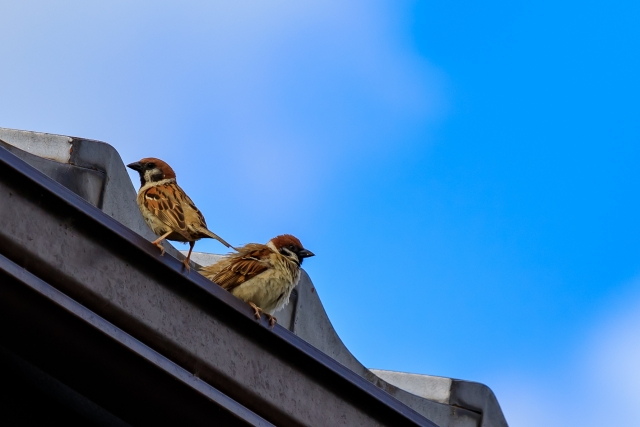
(262,275)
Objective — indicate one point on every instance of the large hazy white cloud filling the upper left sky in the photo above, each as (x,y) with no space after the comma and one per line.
(256,88)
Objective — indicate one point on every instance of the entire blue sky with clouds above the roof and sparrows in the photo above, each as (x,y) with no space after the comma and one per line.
(466,172)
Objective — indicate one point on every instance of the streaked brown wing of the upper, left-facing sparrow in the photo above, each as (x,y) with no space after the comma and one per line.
(164,202)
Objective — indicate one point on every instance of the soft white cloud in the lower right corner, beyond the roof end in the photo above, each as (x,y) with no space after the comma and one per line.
(598,386)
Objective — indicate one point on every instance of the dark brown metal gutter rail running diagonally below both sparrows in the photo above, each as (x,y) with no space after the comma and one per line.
(79,282)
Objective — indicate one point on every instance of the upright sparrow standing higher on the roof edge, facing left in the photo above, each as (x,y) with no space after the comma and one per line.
(167,209)
